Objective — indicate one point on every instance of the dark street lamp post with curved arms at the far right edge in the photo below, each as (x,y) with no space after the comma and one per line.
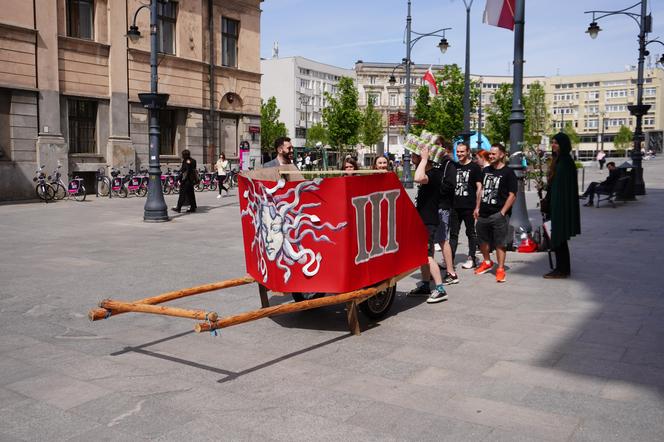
(644,22)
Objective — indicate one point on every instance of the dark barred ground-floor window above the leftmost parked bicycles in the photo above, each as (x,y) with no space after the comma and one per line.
(82,116)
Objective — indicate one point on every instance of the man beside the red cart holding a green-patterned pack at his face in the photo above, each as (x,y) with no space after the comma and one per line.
(428,198)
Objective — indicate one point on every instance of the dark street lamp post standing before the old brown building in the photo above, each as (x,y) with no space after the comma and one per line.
(155,209)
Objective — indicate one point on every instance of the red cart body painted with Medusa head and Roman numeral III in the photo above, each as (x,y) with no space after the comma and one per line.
(329,235)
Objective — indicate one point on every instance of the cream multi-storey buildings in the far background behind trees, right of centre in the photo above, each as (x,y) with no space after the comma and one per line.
(595,104)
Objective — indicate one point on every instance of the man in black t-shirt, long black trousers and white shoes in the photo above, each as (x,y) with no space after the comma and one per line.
(466,193)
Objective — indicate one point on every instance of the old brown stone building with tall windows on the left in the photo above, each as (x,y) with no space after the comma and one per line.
(70,79)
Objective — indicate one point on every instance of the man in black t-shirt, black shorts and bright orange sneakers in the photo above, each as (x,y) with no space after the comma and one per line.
(493,209)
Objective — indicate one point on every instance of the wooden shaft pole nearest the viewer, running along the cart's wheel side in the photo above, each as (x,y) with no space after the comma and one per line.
(357,295)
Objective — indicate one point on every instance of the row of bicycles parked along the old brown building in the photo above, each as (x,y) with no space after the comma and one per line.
(52,187)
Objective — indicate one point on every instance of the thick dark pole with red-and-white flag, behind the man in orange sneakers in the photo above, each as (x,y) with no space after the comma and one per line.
(519,219)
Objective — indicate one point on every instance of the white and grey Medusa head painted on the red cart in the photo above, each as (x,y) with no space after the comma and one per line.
(280,224)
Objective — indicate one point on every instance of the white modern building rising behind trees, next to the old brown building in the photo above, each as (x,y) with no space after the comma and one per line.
(299,86)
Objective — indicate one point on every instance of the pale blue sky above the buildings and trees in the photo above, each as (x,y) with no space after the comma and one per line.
(340,32)
